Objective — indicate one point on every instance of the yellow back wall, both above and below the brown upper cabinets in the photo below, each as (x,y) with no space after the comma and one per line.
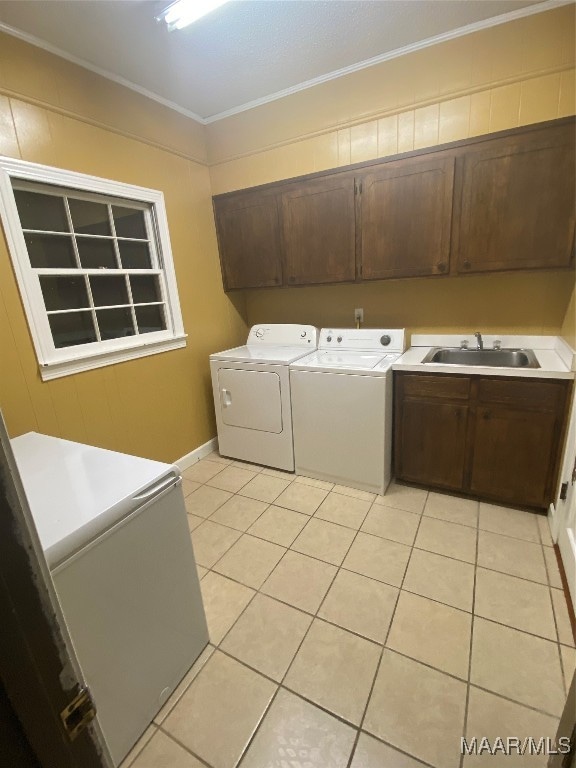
(511,75)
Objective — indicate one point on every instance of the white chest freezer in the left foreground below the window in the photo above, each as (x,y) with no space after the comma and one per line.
(115,534)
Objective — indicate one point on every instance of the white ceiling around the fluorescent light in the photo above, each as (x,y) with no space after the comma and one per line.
(248,51)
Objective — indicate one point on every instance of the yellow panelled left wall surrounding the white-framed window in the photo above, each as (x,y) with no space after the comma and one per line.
(55,113)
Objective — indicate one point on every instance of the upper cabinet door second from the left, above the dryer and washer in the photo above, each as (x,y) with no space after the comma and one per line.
(318,228)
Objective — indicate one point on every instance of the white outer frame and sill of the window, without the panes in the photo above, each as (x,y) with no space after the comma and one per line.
(55,362)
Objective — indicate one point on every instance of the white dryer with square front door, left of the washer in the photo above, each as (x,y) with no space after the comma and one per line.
(251,386)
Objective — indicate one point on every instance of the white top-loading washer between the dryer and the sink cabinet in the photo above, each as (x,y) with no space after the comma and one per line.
(342,407)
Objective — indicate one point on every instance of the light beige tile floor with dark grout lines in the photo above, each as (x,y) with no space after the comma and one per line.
(357,631)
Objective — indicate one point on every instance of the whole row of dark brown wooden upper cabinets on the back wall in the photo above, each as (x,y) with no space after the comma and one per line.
(492,203)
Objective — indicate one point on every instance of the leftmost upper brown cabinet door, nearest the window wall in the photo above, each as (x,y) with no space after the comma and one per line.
(248,228)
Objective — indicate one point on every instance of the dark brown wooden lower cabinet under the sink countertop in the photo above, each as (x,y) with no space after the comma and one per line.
(496,438)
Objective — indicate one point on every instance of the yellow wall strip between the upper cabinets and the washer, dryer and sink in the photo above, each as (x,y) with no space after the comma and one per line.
(506,303)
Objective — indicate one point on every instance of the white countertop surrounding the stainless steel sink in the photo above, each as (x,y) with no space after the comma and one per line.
(556,358)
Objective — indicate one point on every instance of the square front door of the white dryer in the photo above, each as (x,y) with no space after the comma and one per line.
(250,399)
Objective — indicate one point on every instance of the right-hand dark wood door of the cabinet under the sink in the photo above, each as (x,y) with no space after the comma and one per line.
(513,452)
